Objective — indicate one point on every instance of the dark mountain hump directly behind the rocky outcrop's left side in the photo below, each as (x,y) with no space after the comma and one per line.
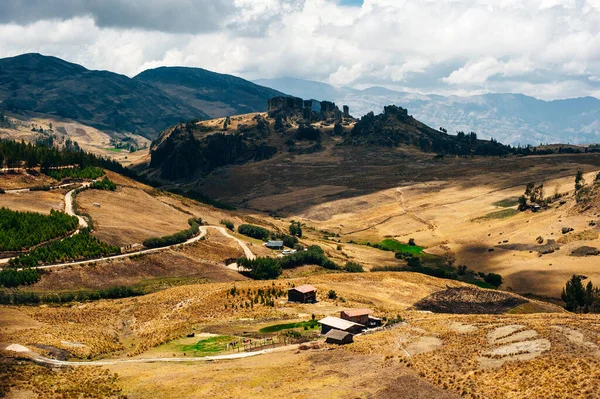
(216,94)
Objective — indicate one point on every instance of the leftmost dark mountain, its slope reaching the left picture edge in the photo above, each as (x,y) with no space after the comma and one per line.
(101,99)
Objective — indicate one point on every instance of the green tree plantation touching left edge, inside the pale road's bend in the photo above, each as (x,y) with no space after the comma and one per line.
(21,230)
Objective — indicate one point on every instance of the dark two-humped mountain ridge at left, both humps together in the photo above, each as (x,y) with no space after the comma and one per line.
(146,104)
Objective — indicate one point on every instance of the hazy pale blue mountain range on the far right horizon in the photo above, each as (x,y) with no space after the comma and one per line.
(509,118)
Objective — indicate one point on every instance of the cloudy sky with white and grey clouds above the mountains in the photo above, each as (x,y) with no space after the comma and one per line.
(548,49)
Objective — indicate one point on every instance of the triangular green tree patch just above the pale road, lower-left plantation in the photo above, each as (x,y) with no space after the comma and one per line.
(78,247)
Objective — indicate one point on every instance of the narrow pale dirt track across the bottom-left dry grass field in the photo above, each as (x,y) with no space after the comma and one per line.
(37,358)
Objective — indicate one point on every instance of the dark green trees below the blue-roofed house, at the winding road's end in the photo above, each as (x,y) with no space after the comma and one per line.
(270,268)
